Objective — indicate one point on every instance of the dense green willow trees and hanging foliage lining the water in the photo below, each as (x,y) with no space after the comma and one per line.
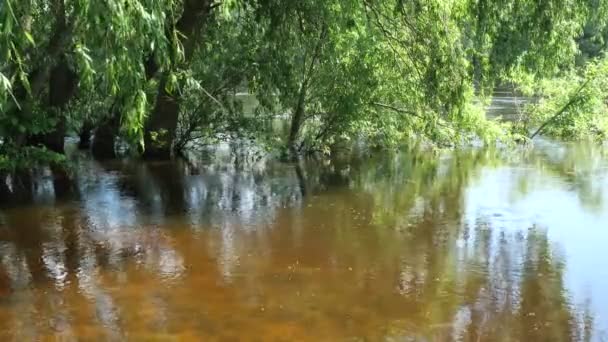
(169,75)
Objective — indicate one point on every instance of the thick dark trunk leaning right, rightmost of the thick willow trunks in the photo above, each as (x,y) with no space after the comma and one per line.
(160,128)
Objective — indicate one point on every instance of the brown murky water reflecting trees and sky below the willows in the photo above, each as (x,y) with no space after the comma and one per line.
(474,245)
